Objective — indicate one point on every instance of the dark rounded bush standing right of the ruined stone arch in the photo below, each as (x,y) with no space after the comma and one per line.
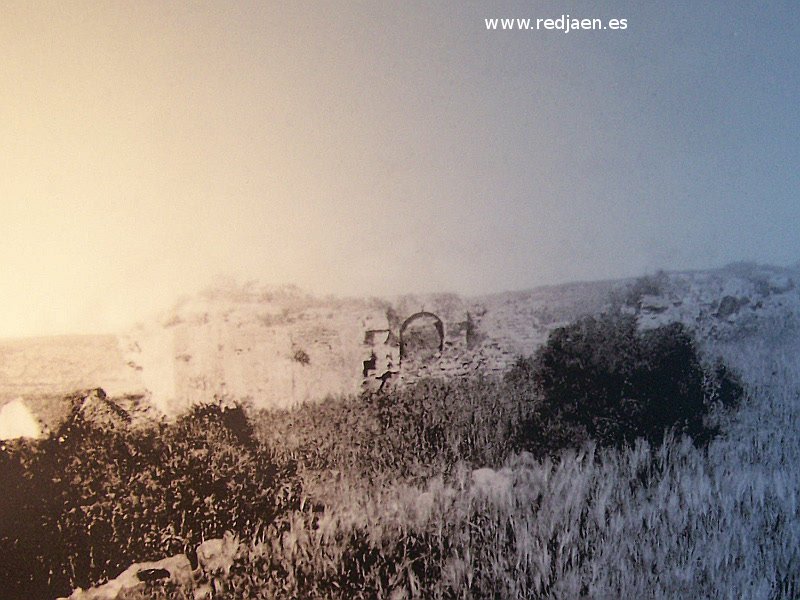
(601,379)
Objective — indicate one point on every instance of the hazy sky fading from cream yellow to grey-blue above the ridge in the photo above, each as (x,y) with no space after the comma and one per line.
(378,148)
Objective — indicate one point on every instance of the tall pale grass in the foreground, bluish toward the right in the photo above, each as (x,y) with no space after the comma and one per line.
(674,522)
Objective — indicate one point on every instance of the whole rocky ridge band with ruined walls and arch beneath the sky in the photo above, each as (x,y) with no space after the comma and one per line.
(279,347)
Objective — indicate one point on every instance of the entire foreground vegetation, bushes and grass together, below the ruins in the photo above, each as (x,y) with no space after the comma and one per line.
(612,463)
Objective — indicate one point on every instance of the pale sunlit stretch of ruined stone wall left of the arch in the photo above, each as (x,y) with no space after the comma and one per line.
(268,355)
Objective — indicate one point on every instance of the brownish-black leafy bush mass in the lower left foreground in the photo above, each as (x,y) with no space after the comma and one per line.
(88,501)
